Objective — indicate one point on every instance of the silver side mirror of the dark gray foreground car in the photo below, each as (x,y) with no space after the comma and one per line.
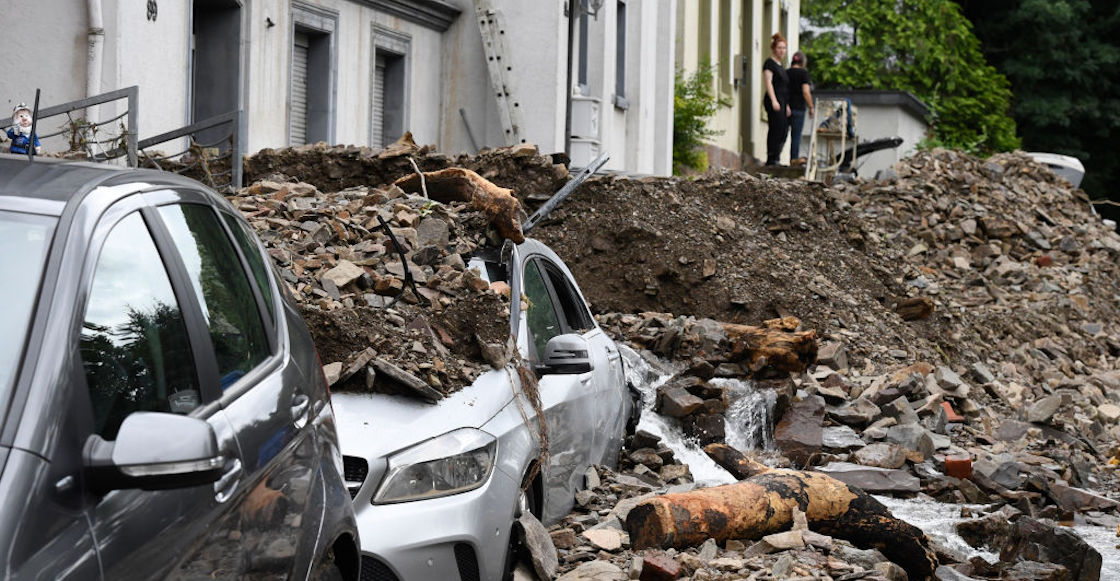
(154,452)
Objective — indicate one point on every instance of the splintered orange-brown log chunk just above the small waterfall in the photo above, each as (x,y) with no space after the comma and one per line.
(774,349)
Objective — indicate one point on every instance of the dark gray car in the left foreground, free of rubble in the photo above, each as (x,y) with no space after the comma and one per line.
(163,411)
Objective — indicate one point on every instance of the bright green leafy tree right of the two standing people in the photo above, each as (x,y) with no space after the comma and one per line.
(922,46)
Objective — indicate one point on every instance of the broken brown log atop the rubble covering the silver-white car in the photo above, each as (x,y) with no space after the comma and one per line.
(464,185)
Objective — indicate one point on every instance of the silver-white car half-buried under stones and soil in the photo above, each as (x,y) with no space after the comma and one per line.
(437,489)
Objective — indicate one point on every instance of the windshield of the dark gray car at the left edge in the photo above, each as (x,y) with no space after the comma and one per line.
(24,242)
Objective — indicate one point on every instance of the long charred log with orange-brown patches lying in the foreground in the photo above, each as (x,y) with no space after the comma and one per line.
(764,504)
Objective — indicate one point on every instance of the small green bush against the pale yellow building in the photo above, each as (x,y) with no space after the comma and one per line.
(695,102)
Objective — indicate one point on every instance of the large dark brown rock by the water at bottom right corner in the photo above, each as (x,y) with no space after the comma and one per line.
(1031,540)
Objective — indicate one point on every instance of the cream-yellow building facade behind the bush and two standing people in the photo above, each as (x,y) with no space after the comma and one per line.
(734,36)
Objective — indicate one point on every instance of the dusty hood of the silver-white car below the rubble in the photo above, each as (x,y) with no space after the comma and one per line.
(376,426)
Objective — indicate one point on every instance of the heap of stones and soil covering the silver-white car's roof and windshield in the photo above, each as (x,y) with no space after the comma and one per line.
(374,330)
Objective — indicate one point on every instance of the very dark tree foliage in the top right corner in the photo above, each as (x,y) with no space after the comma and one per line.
(1063,61)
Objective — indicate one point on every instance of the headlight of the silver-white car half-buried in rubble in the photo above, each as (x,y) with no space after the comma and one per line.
(455,463)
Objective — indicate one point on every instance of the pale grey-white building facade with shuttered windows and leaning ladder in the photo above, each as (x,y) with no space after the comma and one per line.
(587,78)
